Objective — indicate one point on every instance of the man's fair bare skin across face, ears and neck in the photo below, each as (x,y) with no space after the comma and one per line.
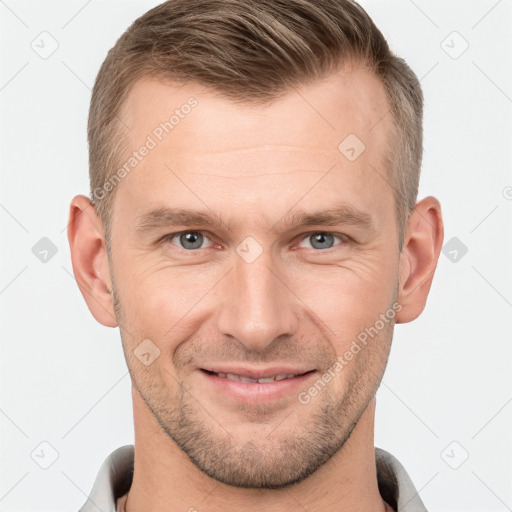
(295,304)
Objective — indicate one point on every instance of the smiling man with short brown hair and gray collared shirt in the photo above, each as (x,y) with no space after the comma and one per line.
(255,235)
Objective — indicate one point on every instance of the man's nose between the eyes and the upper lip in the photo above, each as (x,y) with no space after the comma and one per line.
(258,306)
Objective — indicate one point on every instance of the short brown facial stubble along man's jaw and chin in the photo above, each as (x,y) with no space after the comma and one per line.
(281,459)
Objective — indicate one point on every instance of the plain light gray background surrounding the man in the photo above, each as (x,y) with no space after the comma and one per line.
(447,390)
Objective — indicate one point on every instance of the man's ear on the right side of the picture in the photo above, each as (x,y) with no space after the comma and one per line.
(423,241)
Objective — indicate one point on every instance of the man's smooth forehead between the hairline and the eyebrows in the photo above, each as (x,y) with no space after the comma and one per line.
(235,153)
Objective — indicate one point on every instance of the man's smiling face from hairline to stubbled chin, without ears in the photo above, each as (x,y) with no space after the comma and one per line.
(257,290)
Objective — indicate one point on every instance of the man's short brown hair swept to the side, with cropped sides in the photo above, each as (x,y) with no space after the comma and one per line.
(253,52)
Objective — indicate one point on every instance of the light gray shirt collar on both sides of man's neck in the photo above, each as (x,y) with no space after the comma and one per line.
(115,476)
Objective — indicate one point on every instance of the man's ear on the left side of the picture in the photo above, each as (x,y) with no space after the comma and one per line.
(90,261)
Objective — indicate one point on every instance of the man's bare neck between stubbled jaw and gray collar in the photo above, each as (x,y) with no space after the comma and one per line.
(166,479)
